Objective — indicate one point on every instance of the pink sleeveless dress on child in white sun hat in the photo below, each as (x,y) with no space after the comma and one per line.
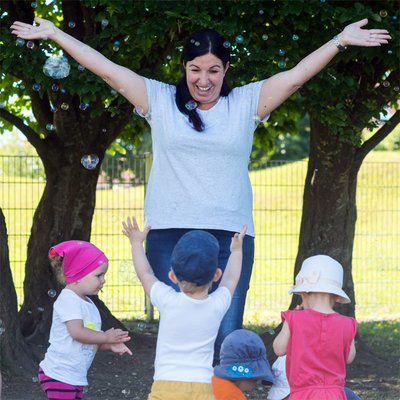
(317,352)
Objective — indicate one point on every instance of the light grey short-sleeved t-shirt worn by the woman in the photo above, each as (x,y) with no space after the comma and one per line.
(200,179)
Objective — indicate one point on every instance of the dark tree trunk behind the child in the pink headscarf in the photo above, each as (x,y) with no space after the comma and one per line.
(65,212)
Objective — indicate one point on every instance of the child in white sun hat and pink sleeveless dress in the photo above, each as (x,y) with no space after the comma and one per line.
(318,341)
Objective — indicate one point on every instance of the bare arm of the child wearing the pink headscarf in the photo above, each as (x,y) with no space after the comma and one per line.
(89,336)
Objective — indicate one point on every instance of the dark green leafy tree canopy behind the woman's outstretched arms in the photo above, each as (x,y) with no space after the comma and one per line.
(147,36)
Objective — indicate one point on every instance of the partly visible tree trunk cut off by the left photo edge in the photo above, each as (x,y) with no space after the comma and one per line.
(14,352)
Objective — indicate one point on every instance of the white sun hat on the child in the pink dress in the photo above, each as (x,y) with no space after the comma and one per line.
(320,273)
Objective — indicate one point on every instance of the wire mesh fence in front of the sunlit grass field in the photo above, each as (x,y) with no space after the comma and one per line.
(277,192)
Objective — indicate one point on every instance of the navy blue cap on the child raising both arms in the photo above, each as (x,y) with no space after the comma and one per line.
(195,257)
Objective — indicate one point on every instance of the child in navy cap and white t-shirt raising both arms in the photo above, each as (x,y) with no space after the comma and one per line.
(189,319)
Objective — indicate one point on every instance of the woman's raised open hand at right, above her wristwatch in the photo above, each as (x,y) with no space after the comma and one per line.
(354,35)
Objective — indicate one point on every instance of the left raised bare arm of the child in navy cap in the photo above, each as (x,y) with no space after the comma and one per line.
(142,267)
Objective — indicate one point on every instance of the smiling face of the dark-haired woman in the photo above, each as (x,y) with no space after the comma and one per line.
(204,77)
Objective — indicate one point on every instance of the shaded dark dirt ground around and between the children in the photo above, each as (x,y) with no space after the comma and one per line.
(119,378)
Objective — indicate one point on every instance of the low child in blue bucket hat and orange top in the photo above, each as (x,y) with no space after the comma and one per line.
(243,363)
